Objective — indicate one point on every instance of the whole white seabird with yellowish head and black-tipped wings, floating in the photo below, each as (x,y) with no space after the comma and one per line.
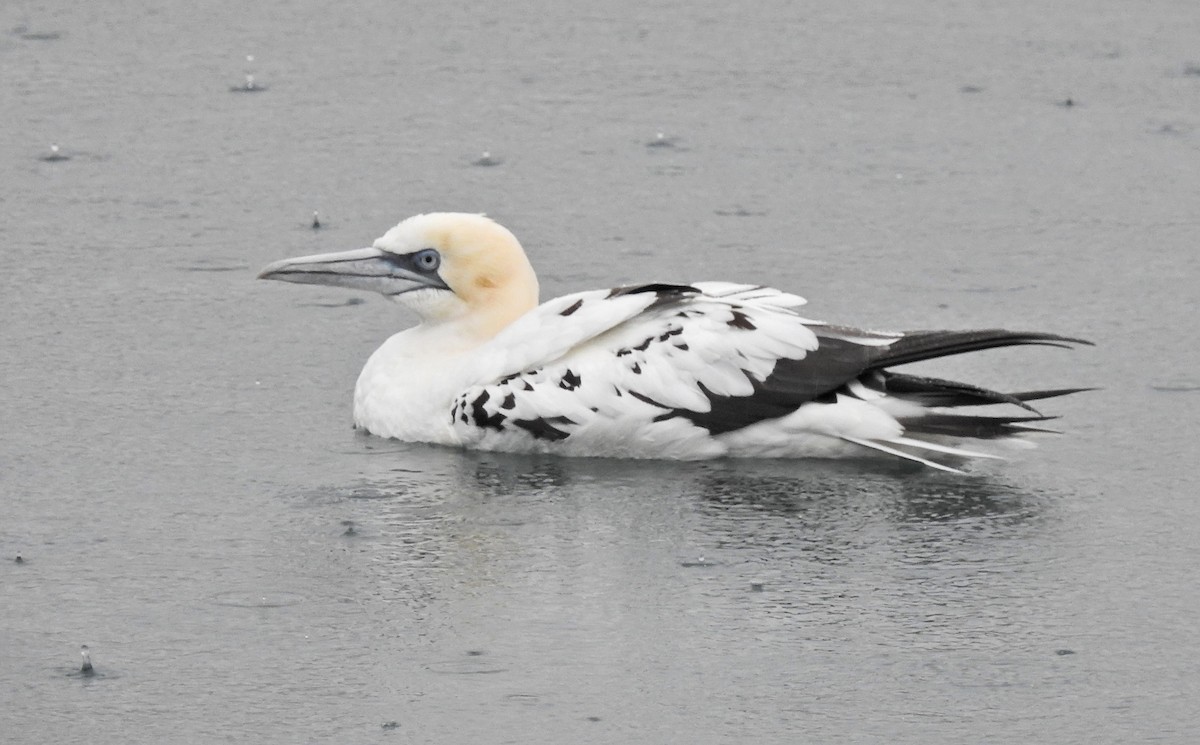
(658,370)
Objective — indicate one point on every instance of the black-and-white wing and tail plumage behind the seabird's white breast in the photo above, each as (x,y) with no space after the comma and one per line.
(711,370)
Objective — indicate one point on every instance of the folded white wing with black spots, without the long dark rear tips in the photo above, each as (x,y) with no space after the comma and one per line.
(652,364)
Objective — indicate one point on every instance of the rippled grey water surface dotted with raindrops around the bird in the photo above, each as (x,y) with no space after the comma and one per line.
(185,495)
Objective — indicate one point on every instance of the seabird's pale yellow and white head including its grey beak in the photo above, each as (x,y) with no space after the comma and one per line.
(446,267)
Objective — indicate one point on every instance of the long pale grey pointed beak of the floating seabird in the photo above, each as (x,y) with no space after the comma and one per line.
(365,269)
